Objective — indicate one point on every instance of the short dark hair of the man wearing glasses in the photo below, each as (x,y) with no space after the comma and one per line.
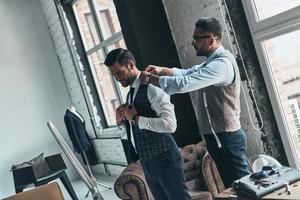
(211,25)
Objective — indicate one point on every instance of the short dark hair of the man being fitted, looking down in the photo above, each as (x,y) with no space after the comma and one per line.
(121,56)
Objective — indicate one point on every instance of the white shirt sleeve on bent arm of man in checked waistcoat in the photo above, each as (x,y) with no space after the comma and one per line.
(164,109)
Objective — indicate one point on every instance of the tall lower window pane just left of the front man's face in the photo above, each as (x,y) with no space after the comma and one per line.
(105,86)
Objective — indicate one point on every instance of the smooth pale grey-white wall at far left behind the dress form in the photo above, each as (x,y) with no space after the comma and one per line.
(32,88)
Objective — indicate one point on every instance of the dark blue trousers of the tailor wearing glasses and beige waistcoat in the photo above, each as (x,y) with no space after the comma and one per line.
(231,159)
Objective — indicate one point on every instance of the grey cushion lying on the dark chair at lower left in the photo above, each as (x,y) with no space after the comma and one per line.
(38,164)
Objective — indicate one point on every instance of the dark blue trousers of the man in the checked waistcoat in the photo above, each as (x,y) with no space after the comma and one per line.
(165,177)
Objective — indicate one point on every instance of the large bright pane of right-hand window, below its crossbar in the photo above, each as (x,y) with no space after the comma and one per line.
(284,62)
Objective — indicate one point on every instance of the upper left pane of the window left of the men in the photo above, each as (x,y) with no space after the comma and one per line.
(86,24)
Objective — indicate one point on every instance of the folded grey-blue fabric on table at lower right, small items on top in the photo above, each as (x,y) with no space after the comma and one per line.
(257,188)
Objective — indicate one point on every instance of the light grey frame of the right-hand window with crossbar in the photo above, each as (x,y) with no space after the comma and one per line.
(285,22)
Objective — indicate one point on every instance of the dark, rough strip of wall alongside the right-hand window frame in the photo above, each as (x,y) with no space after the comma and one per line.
(272,143)
